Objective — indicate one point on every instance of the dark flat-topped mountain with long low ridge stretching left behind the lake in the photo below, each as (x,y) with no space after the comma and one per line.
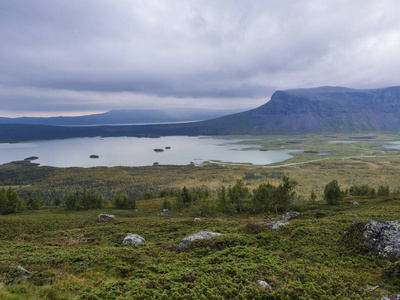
(323,109)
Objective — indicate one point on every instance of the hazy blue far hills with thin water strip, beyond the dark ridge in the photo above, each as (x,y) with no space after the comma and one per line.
(124,116)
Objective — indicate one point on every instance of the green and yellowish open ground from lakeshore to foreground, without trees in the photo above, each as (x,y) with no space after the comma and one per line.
(70,255)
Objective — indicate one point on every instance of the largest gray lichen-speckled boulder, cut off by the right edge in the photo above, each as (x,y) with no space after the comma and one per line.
(383,237)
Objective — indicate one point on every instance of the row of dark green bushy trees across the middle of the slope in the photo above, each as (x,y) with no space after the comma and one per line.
(233,199)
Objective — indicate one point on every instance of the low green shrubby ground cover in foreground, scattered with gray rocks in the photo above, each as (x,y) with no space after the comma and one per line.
(70,255)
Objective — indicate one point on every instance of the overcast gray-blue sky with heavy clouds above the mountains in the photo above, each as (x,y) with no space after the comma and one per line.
(63,57)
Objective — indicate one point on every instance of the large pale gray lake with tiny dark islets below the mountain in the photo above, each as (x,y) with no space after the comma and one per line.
(132,151)
